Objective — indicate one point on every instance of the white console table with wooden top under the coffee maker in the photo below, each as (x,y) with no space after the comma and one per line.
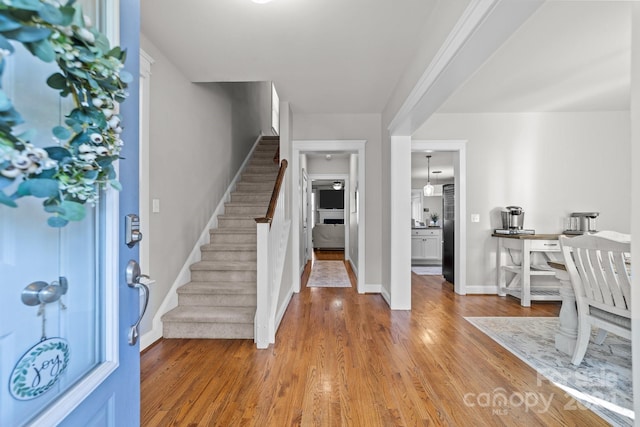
(520,285)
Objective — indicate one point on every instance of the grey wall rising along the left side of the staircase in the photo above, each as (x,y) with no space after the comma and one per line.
(193,157)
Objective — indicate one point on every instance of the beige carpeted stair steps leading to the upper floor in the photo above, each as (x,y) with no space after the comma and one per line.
(220,300)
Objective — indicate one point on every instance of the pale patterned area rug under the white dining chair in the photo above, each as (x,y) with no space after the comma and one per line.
(602,382)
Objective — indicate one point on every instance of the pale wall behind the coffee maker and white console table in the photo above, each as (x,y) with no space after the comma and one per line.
(551,164)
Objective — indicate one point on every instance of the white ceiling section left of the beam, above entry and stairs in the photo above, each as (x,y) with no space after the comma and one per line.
(325,56)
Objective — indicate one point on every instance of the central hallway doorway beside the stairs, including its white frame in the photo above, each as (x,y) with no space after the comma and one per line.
(326,163)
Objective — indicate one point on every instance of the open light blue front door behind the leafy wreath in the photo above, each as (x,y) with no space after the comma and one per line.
(85,329)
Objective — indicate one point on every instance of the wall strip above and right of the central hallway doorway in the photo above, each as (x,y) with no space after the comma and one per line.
(354,127)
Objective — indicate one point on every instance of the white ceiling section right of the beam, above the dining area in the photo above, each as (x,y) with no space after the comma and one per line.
(569,56)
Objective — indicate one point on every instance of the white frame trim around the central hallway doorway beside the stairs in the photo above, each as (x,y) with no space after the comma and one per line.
(351,146)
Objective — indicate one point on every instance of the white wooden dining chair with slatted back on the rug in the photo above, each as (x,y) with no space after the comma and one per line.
(597,265)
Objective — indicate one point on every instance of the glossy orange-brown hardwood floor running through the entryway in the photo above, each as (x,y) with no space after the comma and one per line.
(344,359)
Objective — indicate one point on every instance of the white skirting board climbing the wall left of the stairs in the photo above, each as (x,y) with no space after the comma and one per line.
(171,299)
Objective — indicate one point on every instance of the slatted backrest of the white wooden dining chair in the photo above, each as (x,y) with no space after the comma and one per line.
(597,264)
